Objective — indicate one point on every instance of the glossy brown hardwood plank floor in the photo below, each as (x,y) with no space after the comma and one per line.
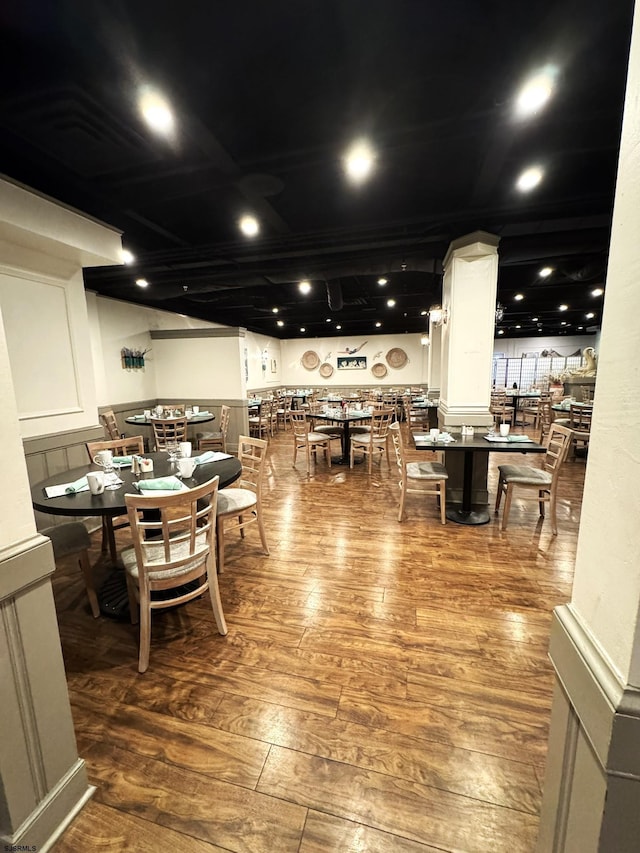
(382,687)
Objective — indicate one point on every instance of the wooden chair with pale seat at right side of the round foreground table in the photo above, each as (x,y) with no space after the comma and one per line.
(242,500)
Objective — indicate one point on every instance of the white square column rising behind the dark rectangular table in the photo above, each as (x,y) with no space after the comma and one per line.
(469,299)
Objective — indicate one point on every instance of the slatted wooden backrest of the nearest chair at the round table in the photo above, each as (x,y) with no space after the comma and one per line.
(179,532)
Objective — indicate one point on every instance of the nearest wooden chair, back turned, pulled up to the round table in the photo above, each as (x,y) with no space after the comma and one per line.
(173,556)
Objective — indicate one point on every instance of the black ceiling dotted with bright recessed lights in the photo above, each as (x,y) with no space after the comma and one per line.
(266,98)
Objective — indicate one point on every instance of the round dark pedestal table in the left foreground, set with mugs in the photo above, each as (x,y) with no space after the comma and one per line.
(111,503)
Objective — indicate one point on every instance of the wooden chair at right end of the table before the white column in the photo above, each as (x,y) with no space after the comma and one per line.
(542,481)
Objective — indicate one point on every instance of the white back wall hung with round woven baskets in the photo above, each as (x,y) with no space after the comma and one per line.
(375,349)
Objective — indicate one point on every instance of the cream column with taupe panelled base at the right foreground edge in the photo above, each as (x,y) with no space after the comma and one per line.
(592,785)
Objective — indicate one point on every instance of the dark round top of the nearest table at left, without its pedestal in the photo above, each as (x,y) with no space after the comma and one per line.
(112,502)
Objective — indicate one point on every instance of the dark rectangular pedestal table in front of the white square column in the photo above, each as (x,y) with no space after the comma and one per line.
(473,447)
